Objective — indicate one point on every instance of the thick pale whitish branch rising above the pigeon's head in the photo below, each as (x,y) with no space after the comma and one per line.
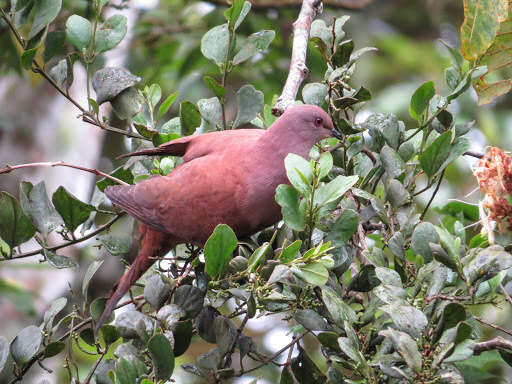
(298,69)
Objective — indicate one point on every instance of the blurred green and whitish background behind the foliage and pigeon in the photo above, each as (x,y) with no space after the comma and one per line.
(162,46)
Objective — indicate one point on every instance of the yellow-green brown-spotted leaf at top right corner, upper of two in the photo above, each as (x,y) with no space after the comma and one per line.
(481,23)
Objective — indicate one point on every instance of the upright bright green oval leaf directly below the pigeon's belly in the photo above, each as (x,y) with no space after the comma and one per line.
(218,250)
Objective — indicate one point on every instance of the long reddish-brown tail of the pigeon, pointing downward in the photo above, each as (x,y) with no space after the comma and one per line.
(153,244)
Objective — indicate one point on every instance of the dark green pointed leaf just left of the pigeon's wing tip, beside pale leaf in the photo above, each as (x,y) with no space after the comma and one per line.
(73,211)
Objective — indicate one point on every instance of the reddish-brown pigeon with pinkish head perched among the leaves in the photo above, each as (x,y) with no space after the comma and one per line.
(226,177)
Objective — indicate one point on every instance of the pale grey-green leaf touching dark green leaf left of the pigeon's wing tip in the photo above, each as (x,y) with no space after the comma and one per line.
(36,205)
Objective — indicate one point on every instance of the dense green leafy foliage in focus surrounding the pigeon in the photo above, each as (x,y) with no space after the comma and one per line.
(385,289)
